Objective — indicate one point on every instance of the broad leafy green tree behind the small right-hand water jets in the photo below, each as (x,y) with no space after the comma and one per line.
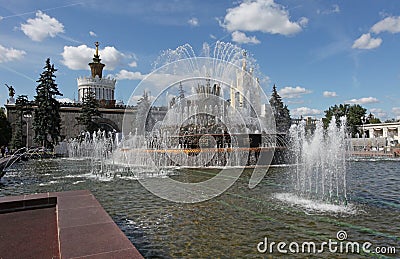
(354,114)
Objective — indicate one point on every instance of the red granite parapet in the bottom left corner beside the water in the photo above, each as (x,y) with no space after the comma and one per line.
(68,224)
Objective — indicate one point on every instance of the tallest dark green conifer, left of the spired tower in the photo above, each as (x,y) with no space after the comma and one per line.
(47,121)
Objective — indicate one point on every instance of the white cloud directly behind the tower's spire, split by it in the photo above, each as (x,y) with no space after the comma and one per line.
(77,58)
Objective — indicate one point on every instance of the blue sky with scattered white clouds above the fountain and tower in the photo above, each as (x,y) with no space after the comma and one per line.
(317,52)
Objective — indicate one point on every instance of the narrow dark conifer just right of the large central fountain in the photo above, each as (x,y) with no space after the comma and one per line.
(280,112)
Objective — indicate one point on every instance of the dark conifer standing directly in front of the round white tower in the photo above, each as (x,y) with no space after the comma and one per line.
(89,112)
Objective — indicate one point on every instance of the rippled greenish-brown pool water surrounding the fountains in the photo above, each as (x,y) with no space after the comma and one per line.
(231,225)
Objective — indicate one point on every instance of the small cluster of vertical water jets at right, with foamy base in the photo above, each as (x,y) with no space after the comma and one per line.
(319,167)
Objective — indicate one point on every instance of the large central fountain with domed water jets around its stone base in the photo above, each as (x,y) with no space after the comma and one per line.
(217,114)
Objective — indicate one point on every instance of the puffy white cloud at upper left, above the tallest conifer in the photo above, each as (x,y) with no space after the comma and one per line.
(41,27)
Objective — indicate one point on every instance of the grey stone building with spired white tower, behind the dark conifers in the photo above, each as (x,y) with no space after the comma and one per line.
(112,114)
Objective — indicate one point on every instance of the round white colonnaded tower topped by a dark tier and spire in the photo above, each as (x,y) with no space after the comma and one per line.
(103,87)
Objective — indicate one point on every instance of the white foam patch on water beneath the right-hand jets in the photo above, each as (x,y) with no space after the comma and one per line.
(314,205)
